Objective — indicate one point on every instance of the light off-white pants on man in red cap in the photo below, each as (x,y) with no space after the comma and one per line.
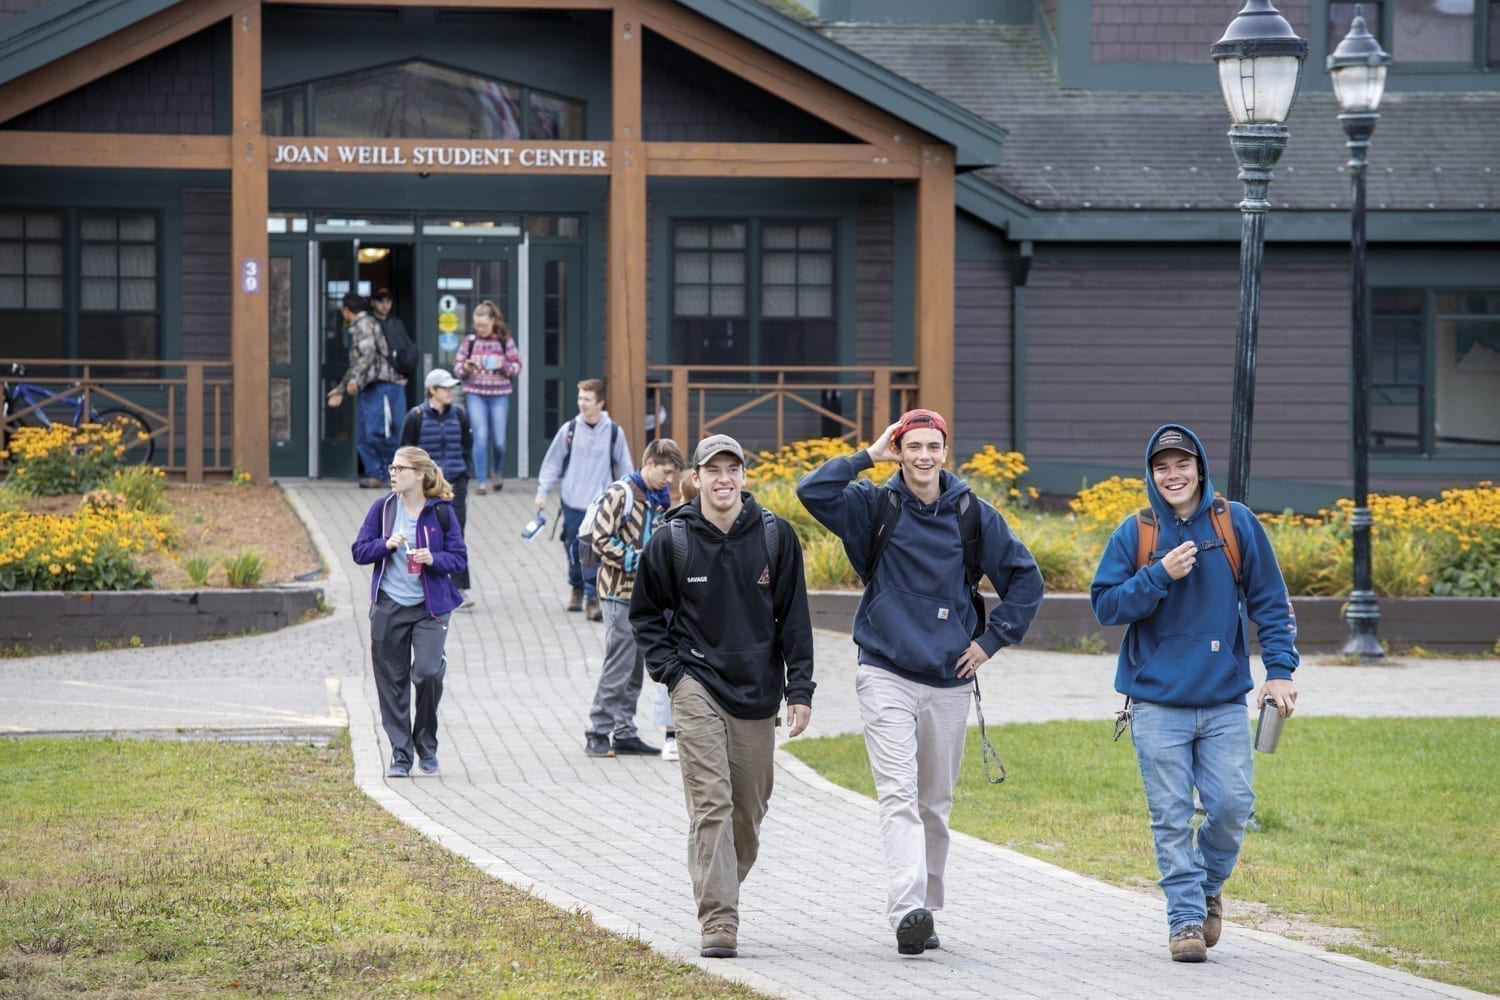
(914,735)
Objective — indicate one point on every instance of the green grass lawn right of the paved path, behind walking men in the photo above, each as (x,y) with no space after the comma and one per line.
(1390,827)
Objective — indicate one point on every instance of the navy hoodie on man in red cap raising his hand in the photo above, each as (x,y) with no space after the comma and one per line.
(916,618)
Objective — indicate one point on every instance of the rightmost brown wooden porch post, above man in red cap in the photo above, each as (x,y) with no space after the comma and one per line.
(935,278)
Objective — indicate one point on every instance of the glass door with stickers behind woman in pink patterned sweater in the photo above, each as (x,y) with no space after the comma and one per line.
(455,278)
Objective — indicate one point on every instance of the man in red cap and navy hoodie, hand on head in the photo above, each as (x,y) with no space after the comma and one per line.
(916,632)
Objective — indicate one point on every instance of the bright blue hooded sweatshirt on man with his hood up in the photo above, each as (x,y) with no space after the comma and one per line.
(1189,642)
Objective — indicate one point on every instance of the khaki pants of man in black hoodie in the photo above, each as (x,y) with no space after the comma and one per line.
(727,782)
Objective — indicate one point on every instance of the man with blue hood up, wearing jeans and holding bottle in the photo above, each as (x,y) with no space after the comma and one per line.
(1186,669)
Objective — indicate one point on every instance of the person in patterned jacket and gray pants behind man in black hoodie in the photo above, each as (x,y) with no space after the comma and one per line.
(623,524)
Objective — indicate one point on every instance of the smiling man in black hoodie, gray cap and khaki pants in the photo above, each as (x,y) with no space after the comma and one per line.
(739,639)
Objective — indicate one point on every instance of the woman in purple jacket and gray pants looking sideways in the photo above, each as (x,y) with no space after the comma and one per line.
(415,548)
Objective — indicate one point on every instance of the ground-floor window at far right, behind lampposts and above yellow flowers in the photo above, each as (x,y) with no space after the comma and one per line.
(1435,371)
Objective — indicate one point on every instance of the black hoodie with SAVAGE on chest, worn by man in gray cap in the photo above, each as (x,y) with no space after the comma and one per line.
(742,630)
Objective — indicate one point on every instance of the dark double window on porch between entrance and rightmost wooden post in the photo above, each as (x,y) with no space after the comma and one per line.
(754,293)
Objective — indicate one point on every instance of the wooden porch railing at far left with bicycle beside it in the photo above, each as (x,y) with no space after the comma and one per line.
(185,406)
